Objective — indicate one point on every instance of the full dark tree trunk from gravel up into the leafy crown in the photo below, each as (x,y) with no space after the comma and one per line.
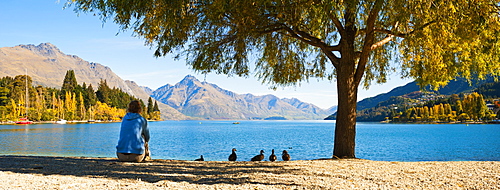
(347,87)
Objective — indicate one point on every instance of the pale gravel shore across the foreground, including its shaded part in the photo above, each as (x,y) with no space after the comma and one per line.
(36,172)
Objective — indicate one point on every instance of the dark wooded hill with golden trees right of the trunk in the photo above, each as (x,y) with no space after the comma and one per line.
(409,102)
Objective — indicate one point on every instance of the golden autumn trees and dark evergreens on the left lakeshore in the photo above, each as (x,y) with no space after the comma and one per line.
(73,102)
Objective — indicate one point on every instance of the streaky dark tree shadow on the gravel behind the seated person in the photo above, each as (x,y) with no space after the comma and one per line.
(152,171)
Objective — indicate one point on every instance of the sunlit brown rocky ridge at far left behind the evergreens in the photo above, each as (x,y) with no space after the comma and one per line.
(47,65)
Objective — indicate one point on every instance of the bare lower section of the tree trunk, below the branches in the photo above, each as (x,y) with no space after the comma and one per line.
(345,127)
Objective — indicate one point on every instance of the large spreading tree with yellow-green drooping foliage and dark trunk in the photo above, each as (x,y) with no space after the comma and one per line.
(351,42)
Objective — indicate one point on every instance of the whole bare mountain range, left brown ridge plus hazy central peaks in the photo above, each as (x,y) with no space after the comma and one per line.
(188,99)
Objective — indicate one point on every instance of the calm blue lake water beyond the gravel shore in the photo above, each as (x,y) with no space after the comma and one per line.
(304,140)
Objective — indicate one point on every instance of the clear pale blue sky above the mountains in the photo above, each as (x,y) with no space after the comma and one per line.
(84,35)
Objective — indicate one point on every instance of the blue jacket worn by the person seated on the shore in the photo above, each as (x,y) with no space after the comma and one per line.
(133,127)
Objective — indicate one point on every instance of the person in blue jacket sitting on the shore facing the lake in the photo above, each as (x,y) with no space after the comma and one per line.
(134,135)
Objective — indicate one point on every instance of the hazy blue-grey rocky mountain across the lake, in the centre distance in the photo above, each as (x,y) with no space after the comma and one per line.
(208,101)
